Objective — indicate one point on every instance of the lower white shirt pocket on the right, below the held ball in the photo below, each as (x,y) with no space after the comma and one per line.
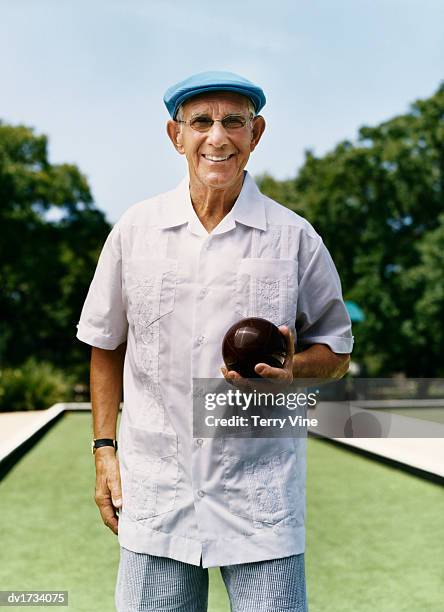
(260,479)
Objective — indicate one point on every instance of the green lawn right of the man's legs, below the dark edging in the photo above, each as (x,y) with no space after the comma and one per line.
(375,536)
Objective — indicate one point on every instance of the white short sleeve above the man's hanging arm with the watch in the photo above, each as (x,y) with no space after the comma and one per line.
(103,321)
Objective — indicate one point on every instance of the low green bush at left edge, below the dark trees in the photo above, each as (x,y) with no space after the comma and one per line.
(35,385)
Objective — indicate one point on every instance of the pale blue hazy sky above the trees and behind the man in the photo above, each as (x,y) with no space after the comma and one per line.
(91,76)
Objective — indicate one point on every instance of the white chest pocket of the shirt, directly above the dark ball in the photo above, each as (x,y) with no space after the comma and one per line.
(267,288)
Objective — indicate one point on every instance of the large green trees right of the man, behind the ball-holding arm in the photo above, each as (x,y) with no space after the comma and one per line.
(377,204)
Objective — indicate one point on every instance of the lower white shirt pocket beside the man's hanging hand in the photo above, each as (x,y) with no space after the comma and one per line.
(153,468)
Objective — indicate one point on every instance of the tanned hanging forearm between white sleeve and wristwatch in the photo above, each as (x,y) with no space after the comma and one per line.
(106,383)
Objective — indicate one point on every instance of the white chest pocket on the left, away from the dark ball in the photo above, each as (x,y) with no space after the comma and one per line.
(150,289)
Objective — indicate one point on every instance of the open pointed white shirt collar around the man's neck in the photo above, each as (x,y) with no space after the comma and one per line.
(249,208)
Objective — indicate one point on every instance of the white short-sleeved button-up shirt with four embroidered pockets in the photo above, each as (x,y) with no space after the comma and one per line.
(171,290)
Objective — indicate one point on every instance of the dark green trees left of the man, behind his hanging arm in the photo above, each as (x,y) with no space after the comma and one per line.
(46,266)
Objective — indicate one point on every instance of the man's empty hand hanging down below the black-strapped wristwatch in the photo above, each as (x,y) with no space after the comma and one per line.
(108,494)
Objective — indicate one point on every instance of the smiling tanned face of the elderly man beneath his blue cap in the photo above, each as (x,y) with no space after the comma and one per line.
(216,158)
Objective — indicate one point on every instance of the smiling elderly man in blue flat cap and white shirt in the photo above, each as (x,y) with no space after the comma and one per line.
(174,274)
